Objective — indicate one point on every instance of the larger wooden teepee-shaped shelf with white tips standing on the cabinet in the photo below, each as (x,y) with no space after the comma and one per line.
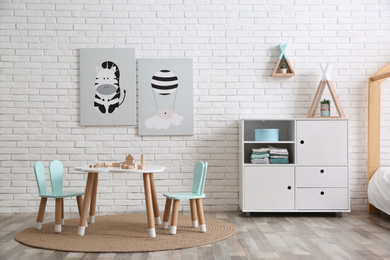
(325,81)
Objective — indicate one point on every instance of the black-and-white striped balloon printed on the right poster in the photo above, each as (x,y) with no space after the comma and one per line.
(164,82)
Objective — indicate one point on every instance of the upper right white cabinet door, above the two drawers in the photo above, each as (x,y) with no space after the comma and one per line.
(322,142)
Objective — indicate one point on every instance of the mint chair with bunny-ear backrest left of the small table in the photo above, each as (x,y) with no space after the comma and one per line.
(56,176)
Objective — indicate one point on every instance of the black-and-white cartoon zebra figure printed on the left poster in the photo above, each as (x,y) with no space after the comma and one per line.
(108,92)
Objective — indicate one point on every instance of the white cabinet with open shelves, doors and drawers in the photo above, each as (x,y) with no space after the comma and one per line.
(316,177)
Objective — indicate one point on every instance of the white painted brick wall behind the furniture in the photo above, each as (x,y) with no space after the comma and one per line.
(234,48)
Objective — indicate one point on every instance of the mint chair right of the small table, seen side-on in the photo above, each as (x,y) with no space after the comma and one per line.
(195,198)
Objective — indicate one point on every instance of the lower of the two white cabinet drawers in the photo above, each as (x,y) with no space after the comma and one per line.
(322,198)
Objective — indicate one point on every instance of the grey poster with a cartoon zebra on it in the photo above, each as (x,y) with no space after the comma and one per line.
(107,87)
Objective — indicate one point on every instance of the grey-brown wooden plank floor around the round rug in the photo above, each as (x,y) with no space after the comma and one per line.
(355,236)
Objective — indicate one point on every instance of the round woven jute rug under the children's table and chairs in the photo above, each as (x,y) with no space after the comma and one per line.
(123,234)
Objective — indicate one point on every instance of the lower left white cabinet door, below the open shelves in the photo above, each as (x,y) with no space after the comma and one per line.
(268,188)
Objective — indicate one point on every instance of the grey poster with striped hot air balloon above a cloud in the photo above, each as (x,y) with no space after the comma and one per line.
(165,97)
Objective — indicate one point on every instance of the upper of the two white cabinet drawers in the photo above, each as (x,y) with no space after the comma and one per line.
(322,177)
